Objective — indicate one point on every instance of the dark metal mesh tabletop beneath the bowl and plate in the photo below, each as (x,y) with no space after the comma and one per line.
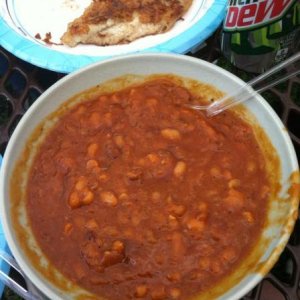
(21,83)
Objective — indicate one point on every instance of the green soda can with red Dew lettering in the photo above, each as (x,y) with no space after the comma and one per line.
(257,34)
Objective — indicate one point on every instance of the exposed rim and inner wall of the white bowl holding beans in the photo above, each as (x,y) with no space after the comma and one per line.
(284,206)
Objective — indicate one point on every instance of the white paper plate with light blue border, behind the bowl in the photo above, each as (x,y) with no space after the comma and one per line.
(21,21)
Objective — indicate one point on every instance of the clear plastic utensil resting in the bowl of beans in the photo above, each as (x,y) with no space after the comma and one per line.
(248,90)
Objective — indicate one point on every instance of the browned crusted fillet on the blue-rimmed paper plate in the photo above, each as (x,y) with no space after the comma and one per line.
(112,22)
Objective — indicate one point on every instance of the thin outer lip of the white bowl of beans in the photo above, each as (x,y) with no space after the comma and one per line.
(4,208)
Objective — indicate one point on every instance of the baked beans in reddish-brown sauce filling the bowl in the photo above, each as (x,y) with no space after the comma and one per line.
(134,195)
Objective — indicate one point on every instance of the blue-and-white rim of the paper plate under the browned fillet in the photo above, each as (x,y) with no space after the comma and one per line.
(15,39)
